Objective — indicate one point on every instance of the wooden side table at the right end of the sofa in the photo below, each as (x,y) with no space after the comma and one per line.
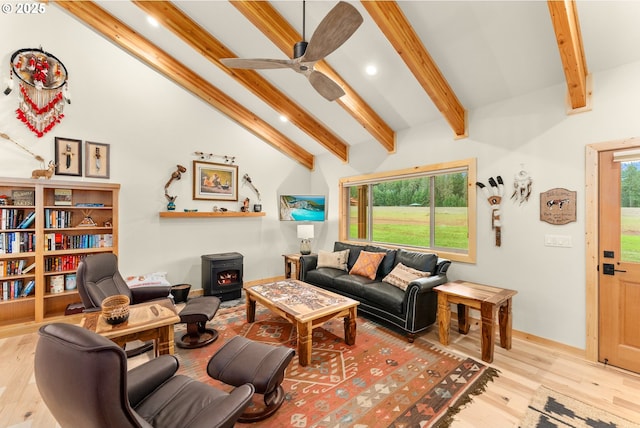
(490,301)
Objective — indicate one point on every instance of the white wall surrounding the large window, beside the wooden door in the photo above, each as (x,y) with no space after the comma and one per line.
(534,133)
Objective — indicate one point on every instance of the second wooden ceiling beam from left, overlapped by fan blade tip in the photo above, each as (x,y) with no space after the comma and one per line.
(176,21)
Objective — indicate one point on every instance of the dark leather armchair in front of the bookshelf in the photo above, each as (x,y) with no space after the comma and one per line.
(98,277)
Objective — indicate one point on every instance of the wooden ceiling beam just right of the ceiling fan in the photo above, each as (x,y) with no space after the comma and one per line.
(398,30)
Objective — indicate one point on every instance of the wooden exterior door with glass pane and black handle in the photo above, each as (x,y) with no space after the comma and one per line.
(619,262)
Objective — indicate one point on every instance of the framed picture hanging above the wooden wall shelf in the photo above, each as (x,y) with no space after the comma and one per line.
(214,181)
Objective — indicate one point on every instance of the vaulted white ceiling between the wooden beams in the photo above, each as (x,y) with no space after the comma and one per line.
(487,51)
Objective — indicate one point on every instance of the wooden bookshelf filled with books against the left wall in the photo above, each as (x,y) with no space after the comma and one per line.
(47,248)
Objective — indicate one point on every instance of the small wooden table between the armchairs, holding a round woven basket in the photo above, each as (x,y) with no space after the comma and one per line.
(151,320)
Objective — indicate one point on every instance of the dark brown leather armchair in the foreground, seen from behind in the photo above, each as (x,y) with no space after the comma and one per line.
(83,379)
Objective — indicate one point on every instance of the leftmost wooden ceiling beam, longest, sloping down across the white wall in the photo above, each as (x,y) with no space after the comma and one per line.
(125,37)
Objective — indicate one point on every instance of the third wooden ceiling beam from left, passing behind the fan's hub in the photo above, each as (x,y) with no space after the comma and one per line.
(282,34)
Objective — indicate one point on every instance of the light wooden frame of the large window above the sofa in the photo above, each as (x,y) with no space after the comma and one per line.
(425,170)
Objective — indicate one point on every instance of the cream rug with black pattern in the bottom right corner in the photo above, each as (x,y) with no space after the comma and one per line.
(550,409)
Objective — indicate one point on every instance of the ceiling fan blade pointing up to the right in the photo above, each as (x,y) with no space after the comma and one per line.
(339,24)
